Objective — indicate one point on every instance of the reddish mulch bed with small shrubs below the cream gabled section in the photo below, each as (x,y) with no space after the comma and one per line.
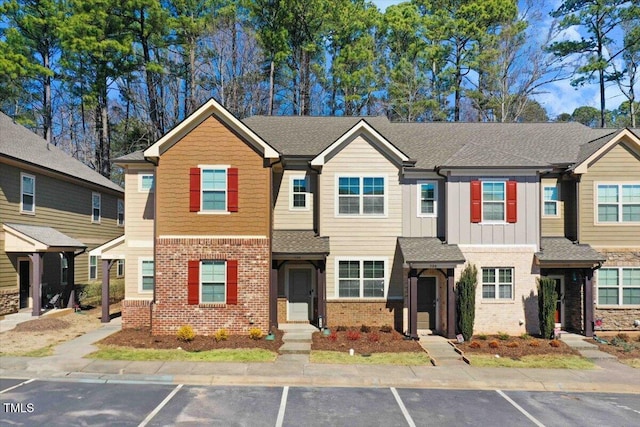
(366,343)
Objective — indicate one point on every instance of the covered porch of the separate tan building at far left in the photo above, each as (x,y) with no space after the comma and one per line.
(45,265)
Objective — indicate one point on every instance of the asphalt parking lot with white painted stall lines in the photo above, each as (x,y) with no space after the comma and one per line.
(100,403)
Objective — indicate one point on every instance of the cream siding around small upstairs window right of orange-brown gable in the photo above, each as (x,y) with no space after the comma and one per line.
(284,217)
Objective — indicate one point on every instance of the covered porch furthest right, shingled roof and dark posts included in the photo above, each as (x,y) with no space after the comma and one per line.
(572,266)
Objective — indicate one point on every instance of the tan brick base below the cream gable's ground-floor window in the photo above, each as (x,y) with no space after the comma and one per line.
(370,313)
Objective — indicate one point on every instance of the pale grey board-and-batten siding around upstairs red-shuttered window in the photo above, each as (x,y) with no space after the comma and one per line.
(460,229)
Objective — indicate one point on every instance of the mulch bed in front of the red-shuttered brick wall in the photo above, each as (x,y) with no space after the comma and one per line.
(142,338)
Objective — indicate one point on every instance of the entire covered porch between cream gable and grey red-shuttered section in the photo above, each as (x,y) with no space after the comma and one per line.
(430,301)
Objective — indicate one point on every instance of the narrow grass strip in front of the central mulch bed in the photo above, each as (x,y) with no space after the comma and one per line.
(339,357)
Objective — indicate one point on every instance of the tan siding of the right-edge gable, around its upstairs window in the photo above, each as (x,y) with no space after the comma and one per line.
(619,165)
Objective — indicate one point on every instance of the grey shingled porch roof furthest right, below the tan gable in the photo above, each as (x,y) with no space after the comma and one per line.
(562,252)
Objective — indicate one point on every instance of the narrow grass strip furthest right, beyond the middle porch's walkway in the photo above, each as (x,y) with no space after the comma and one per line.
(531,361)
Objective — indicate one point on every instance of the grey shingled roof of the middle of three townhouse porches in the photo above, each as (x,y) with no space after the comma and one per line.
(429,252)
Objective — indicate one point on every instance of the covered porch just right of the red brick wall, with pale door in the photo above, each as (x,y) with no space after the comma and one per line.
(298,278)
